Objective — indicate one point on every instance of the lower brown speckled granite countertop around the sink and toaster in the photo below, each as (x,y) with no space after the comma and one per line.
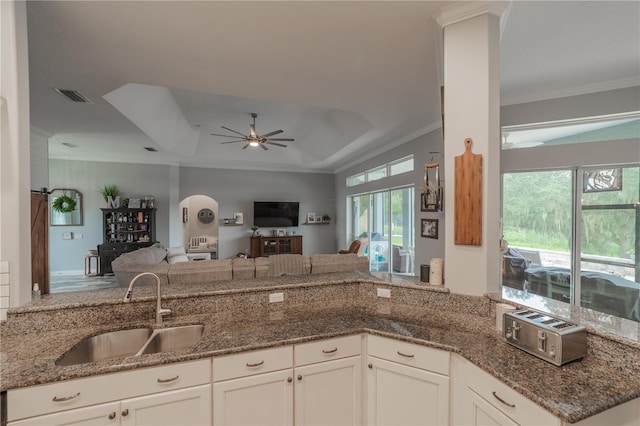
(608,376)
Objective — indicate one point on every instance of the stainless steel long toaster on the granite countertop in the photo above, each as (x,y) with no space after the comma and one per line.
(552,339)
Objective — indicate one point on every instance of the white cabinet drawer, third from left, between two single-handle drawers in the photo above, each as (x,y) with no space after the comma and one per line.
(326,350)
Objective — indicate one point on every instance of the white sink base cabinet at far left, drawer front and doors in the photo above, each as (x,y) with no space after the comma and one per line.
(172,394)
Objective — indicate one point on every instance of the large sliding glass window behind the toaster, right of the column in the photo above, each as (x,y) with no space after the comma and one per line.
(573,236)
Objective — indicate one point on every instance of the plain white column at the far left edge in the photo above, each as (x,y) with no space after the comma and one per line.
(15,204)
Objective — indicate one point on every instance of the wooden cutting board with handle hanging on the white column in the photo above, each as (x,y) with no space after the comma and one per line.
(468,197)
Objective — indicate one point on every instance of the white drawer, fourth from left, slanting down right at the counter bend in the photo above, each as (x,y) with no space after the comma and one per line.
(409,354)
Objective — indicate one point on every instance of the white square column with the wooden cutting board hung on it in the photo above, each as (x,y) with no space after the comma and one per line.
(471,34)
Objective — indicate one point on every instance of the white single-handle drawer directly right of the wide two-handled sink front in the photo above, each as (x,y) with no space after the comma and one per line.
(250,363)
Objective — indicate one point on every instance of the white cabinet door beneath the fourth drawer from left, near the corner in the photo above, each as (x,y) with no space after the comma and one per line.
(401,395)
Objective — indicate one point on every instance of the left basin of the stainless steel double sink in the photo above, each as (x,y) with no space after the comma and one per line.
(113,344)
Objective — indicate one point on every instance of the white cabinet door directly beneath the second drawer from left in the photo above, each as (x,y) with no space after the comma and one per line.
(263,399)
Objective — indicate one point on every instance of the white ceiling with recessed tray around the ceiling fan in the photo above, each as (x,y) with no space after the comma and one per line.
(346,79)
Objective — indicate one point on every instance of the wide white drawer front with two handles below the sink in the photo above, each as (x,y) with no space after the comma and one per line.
(50,398)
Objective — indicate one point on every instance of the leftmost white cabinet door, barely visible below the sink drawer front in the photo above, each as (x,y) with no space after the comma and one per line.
(97,415)
